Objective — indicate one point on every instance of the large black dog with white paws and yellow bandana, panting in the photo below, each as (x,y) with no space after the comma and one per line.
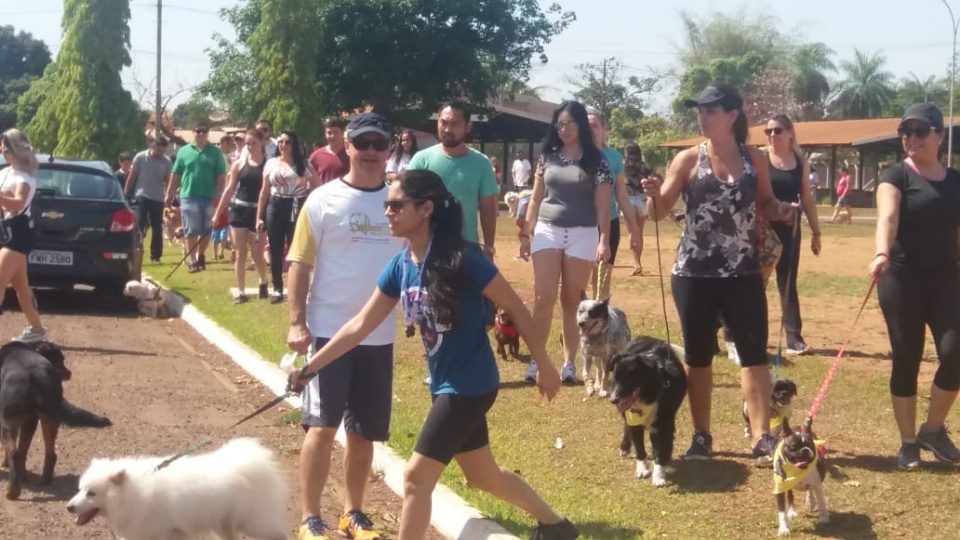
(649,385)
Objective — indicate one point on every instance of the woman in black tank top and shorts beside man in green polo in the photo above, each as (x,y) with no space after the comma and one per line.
(240,196)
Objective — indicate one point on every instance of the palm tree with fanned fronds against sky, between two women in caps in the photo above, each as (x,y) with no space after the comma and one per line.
(867,87)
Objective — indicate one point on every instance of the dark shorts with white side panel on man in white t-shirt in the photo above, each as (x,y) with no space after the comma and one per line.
(356,388)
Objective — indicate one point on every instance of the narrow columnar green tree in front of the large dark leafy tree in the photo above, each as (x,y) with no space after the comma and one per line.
(284,46)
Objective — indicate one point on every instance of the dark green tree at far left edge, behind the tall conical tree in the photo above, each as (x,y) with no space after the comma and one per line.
(22,60)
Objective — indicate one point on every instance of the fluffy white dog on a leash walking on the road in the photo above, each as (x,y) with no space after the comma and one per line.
(236,489)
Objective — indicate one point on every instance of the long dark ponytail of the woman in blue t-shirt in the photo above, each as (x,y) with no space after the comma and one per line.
(444,273)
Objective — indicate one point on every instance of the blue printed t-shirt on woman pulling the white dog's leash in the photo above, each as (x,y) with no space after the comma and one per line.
(460,359)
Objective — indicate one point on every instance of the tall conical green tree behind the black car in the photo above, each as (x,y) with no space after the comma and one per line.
(89,115)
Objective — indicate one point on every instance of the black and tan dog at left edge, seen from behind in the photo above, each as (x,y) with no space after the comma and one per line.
(31,392)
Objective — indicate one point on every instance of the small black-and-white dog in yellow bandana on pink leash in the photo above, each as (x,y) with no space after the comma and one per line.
(799,462)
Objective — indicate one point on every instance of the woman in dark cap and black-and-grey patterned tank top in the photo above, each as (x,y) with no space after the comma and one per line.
(724,184)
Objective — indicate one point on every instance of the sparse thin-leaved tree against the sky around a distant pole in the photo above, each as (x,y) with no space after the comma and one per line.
(602,87)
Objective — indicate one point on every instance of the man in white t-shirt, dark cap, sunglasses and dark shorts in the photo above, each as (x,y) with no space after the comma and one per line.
(343,236)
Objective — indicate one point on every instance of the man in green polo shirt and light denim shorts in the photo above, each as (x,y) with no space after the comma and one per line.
(198,173)
